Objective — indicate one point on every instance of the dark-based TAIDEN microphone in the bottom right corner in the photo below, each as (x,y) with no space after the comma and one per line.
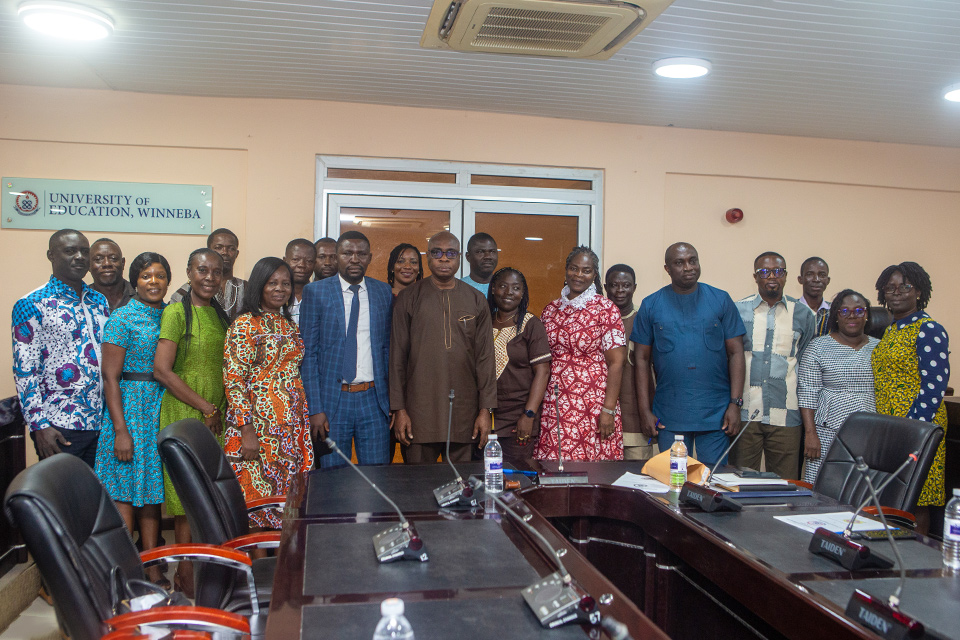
(883,618)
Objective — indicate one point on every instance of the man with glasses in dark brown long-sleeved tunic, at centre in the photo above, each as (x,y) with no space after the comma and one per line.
(442,339)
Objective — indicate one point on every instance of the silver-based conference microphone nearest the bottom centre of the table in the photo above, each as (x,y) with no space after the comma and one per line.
(554,599)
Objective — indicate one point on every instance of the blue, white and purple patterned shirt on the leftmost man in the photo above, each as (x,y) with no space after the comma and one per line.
(56,356)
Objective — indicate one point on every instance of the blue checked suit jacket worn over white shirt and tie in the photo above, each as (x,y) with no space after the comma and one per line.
(323,326)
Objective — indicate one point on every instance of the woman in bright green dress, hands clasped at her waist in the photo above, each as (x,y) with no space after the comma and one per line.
(189,364)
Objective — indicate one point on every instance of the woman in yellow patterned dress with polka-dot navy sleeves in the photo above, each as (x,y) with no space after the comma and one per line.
(911,367)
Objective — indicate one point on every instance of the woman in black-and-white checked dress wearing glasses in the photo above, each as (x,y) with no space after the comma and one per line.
(835,377)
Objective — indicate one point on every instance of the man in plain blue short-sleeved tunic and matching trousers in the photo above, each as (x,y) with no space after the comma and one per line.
(693,334)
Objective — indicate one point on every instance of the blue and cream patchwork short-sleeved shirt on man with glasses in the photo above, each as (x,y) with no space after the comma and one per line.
(776,337)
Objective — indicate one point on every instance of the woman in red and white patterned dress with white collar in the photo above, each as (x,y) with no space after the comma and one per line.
(588,345)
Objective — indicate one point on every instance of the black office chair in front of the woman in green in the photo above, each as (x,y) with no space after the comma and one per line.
(213,501)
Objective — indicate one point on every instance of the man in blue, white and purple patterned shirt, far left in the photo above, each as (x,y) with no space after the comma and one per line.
(57,332)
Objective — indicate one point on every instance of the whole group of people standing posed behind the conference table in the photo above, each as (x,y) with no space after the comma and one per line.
(310,346)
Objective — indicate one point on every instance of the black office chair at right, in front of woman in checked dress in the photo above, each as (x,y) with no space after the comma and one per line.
(884,442)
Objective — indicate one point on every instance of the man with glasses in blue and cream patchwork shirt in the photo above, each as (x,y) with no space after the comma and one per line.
(778,328)
